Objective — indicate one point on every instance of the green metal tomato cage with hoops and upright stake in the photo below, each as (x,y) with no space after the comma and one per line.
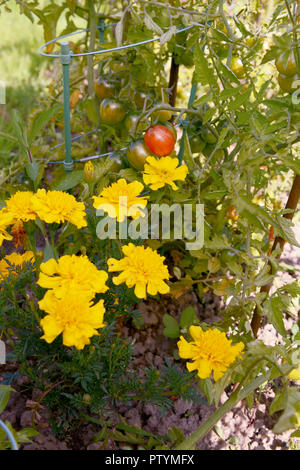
(65,57)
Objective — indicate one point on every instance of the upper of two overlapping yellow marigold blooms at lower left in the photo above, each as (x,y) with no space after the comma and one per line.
(72,273)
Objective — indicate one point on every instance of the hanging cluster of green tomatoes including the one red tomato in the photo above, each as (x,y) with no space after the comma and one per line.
(120,102)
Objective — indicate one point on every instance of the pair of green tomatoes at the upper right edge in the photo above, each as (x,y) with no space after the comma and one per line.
(288,71)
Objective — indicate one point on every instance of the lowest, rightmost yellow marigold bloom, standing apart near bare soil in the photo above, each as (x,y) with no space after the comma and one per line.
(210,351)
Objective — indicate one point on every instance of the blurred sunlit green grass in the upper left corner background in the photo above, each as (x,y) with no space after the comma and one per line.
(22,70)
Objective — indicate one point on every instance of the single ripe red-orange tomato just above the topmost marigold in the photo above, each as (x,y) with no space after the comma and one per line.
(159,140)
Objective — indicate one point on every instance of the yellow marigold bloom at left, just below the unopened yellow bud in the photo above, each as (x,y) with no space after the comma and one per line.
(58,207)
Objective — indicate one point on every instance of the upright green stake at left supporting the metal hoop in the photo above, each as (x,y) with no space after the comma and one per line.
(65,60)
